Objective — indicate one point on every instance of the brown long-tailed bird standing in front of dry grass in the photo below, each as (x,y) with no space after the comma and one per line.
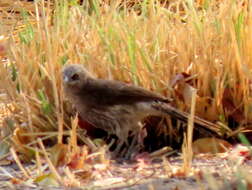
(116,107)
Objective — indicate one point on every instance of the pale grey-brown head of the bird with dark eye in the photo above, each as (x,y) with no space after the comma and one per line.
(75,75)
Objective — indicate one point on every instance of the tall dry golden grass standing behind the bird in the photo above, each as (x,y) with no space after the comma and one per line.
(211,43)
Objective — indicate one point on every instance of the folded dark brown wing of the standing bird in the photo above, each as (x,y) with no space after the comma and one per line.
(115,92)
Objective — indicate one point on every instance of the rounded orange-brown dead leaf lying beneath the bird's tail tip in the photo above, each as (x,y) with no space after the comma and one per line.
(210,145)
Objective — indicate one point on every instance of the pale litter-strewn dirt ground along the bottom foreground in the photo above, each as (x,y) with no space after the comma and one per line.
(213,173)
